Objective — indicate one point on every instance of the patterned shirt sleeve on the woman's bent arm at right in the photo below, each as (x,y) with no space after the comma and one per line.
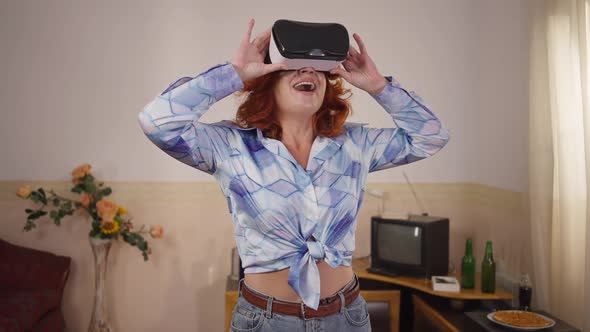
(419,133)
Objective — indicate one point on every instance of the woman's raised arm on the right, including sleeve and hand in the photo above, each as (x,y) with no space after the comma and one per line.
(419,133)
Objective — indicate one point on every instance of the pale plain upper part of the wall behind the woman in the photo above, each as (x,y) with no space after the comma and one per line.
(76,73)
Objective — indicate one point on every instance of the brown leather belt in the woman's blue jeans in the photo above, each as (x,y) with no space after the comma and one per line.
(327,306)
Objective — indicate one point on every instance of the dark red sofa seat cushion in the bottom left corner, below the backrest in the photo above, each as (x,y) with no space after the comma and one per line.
(28,306)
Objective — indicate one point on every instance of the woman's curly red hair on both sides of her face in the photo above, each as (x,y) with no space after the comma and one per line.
(258,108)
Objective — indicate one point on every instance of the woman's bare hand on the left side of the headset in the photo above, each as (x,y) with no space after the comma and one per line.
(249,58)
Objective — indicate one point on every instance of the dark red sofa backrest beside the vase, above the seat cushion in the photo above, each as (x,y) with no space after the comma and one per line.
(27,268)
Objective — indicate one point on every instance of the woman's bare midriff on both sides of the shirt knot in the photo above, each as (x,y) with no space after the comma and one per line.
(276,283)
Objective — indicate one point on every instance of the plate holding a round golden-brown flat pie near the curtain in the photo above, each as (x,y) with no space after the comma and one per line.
(521,320)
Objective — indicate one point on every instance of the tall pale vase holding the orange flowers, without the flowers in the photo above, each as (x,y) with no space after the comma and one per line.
(99,321)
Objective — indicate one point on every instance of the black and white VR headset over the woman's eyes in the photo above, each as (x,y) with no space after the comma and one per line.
(323,46)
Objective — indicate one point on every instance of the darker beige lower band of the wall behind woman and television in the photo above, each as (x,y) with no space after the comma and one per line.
(182,286)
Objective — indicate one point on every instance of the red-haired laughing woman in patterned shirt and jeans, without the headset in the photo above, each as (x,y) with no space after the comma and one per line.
(293,173)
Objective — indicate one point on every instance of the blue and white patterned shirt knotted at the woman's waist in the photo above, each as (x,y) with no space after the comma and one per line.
(285,216)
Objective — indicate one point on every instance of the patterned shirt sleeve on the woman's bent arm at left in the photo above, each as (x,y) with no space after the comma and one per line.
(171,119)
